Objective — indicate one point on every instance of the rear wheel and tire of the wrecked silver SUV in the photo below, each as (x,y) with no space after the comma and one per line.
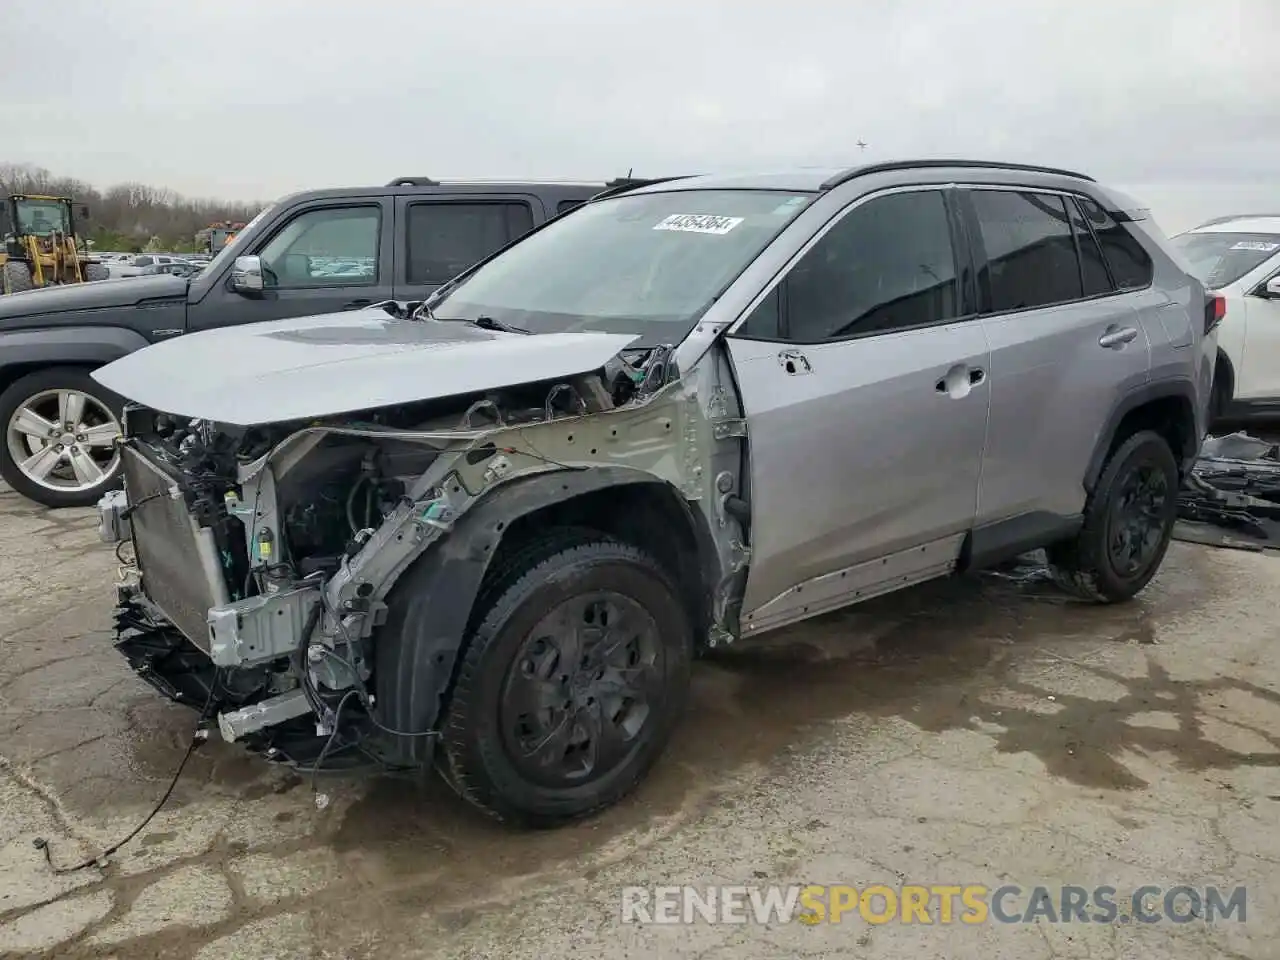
(1086,568)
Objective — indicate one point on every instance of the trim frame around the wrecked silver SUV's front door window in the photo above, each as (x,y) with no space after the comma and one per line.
(961,254)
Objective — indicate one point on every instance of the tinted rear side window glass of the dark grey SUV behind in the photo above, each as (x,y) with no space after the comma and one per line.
(445,239)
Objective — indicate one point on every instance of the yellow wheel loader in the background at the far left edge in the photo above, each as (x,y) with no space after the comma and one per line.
(42,248)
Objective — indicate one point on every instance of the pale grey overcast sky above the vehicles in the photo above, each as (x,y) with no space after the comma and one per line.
(1174,100)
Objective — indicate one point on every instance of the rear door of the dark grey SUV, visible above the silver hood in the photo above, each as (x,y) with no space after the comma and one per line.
(440,236)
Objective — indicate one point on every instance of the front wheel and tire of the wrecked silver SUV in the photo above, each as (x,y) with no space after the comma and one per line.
(482,728)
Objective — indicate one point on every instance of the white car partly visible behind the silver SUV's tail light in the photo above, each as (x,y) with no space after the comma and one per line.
(1240,259)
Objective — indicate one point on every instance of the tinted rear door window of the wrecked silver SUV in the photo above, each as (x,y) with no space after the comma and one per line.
(1031,252)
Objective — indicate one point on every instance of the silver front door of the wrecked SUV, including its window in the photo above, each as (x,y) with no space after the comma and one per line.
(865,383)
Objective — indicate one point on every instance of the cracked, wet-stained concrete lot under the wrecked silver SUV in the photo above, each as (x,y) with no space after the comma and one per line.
(979,732)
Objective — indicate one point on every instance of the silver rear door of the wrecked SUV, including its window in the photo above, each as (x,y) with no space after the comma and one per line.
(1067,342)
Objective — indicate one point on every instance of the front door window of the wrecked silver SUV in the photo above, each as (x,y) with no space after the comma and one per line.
(888,266)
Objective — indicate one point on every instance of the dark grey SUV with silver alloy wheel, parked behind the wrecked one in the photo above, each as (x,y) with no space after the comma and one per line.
(313,253)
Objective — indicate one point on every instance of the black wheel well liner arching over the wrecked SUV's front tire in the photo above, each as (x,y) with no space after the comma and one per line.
(454,575)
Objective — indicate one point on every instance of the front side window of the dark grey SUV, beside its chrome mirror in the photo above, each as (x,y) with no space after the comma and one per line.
(324,248)
